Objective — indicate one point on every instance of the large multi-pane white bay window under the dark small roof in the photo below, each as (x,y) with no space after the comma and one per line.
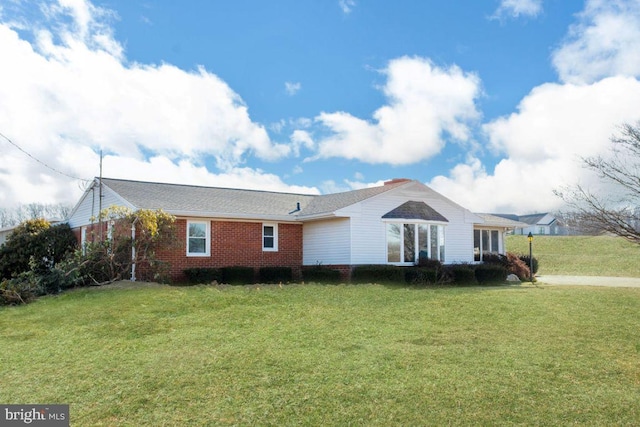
(408,242)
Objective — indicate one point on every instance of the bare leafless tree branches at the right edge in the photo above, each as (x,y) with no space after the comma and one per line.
(618,211)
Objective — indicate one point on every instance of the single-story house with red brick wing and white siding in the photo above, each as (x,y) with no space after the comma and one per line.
(396,223)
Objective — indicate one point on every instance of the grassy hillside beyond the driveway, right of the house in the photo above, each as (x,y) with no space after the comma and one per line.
(581,255)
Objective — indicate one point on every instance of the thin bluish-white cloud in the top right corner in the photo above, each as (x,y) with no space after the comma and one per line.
(604,42)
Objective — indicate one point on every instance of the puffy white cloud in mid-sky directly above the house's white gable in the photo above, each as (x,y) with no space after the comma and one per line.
(424,103)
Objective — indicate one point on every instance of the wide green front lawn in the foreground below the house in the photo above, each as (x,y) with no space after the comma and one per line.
(328,355)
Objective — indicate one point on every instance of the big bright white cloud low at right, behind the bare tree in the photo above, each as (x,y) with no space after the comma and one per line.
(542,143)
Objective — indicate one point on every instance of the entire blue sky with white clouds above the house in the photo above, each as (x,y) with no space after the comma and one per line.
(490,102)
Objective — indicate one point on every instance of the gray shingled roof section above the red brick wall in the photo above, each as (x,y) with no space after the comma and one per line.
(174,198)
